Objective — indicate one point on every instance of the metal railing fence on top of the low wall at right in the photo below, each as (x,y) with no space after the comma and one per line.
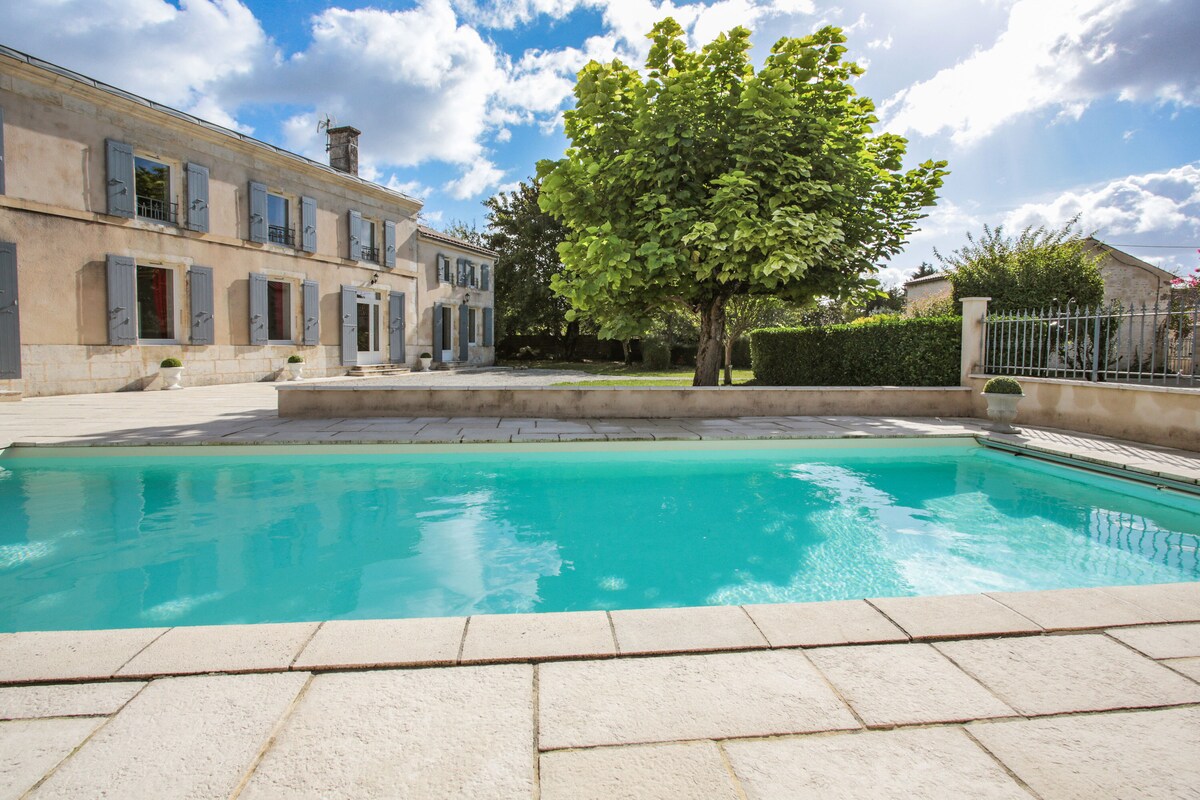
(1115,344)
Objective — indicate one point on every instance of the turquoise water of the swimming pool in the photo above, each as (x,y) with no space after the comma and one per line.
(145,542)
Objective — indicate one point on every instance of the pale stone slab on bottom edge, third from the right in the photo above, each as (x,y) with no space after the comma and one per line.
(676,772)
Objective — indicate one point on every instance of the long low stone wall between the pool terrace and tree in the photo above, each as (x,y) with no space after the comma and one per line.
(614,402)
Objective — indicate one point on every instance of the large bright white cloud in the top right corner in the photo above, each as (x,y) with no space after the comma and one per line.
(1059,56)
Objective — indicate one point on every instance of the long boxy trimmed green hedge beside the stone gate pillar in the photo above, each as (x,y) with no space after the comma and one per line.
(897,353)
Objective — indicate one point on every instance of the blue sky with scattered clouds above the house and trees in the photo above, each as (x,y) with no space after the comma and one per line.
(1045,109)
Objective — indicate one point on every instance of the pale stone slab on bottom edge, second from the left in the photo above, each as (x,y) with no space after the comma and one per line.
(179,738)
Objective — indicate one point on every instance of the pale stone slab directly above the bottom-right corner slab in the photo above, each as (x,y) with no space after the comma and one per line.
(1063,675)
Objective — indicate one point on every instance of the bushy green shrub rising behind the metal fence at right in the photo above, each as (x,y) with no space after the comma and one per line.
(1036,269)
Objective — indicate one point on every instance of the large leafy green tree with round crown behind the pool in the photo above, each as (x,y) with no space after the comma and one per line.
(706,179)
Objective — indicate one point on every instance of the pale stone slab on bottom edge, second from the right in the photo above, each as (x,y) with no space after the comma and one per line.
(926,765)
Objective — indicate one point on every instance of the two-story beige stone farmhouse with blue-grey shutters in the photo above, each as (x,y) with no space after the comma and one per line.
(131,233)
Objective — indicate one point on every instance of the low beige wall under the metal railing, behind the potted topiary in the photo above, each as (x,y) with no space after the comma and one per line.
(1159,416)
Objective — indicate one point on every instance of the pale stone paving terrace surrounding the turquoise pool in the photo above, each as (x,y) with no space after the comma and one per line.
(1071,694)
